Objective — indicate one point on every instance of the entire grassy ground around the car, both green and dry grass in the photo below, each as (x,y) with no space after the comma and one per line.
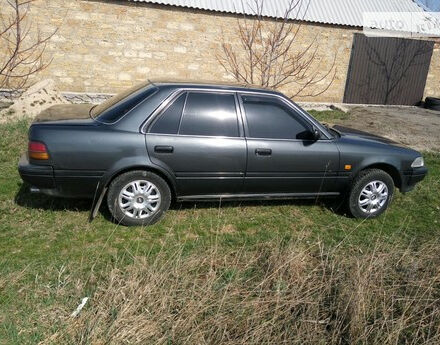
(235,273)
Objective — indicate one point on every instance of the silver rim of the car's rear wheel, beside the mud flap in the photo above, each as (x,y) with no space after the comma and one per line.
(139,199)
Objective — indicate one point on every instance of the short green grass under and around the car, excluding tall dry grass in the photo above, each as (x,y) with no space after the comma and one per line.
(51,257)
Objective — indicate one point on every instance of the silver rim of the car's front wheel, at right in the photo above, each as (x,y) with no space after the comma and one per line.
(373,197)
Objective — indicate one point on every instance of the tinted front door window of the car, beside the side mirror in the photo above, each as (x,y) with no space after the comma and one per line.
(268,117)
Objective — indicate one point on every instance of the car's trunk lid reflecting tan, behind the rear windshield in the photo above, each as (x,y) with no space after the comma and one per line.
(66,113)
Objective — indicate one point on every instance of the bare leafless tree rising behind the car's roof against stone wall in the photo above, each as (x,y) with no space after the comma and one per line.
(268,54)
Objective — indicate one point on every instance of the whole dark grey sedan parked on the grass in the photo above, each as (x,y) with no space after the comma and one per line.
(185,141)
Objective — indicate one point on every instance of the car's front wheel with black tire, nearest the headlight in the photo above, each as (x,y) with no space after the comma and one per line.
(361,182)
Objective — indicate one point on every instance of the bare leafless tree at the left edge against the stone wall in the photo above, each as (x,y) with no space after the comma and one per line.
(22,48)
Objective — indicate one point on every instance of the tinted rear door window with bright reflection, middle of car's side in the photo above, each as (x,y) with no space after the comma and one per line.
(209,114)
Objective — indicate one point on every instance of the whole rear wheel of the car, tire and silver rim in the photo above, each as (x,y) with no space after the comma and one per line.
(138,198)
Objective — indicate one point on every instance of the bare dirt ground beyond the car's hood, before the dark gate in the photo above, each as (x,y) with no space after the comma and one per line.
(416,127)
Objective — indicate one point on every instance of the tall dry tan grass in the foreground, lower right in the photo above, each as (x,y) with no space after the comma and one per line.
(273,294)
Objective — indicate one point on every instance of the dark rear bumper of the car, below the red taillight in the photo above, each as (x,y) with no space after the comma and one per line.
(39,176)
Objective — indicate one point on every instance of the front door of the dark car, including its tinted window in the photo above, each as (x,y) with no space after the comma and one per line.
(282,157)
